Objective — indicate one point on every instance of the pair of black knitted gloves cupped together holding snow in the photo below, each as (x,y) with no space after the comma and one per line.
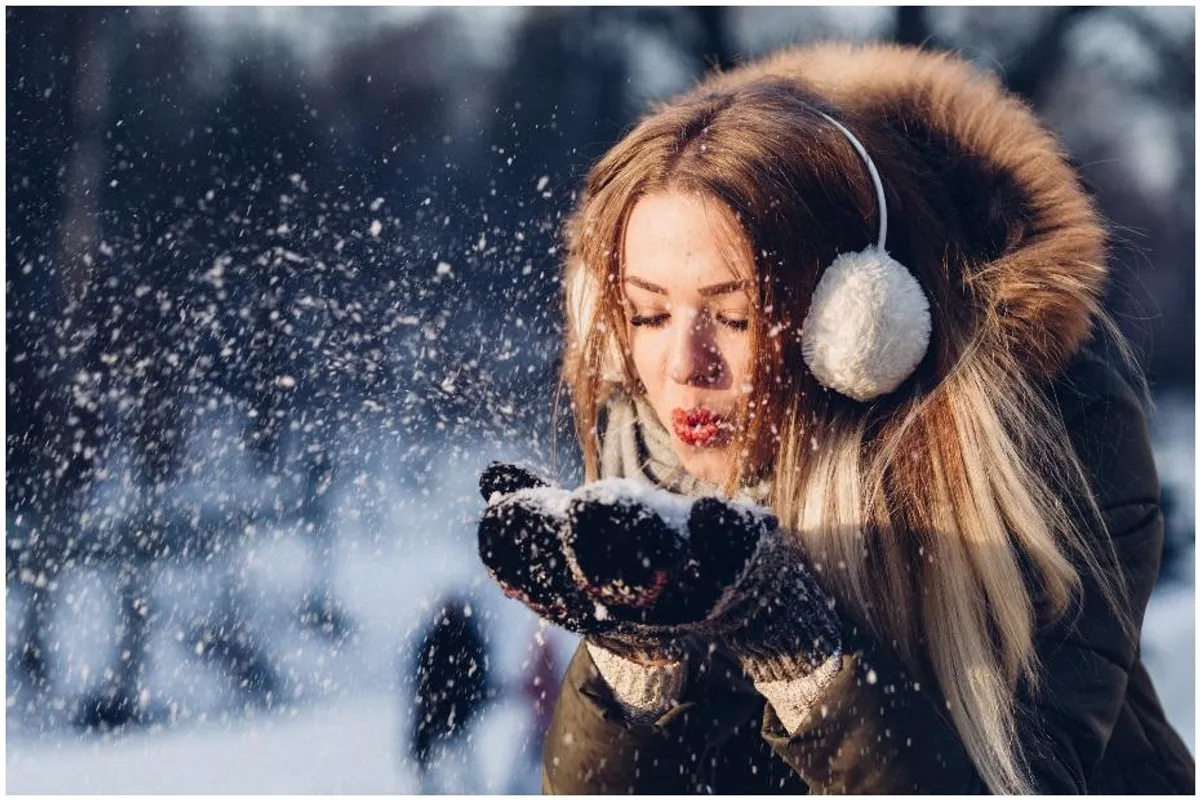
(638,570)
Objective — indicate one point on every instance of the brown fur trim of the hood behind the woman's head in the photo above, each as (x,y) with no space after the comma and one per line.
(1039,250)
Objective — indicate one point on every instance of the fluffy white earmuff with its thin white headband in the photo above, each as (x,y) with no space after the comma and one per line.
(868,324)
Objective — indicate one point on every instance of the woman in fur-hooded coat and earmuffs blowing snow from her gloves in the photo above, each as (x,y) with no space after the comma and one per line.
(851,291)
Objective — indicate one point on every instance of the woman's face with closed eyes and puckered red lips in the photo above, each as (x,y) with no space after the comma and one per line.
(687,285)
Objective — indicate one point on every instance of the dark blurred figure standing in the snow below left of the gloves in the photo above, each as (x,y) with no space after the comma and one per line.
(453,685)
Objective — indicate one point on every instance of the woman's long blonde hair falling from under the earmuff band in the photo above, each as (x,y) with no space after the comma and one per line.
(950,518)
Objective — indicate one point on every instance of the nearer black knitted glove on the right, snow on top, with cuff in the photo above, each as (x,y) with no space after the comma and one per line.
(713,569)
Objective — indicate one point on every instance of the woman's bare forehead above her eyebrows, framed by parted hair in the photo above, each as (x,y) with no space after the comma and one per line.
(680,239)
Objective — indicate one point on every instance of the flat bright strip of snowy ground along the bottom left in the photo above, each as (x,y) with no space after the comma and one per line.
(340,748)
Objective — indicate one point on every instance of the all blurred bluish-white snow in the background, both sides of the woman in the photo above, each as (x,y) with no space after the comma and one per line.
(345,732)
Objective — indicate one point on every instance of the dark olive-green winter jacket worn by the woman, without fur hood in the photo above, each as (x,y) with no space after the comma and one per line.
(1097,729)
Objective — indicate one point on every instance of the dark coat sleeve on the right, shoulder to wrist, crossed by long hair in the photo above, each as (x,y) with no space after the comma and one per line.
(877,731)
